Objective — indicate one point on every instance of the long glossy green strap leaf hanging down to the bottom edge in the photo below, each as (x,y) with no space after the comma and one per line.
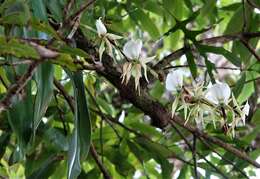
(81,137)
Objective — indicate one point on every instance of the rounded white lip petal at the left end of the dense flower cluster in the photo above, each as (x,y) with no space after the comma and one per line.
(174,81)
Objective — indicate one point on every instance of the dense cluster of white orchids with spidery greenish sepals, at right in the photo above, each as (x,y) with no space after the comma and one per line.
(214,104)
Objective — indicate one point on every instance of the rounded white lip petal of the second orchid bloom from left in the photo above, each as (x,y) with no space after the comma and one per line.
(132,49)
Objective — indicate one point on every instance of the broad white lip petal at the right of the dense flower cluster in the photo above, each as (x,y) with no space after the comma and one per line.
(218,93)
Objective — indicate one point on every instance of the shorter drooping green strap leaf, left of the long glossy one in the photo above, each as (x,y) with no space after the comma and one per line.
(44,82)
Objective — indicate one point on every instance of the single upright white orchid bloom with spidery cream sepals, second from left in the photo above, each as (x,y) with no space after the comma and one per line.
(132,50)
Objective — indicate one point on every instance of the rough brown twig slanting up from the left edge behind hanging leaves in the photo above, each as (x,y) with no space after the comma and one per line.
(17,87)
